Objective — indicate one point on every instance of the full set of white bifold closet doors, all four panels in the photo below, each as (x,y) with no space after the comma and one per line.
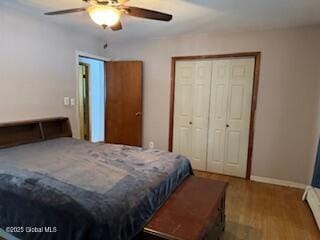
(212,113)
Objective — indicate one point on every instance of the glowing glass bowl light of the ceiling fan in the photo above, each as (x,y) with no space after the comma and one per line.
(104,15)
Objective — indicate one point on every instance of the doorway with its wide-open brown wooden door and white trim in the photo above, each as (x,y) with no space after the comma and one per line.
(109,100)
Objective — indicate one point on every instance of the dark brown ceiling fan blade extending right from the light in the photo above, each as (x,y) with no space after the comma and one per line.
(146,13)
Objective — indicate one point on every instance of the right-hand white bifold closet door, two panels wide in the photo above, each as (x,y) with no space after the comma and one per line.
(230,111)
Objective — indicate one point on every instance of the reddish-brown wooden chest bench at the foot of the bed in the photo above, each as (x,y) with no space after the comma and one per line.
(196,210)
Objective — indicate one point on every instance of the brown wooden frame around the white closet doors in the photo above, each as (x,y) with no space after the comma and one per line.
(257,57)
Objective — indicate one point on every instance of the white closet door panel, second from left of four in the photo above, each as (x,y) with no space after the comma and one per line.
(199,121)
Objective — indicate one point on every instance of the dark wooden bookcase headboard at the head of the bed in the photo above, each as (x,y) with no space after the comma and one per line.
(23,132)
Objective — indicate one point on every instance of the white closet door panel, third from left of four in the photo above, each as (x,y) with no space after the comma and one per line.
(218,115)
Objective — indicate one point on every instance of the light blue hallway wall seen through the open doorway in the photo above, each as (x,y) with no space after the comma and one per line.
(96,98)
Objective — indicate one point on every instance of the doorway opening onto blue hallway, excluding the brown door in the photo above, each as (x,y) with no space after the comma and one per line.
(91,82)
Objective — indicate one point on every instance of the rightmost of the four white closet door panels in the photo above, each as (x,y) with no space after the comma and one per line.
(238,116)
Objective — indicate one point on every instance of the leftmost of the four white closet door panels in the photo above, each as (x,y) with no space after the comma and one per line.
(183,107)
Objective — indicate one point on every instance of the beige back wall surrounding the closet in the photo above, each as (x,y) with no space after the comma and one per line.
(287,101)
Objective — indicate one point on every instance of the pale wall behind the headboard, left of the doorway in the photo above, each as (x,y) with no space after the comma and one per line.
(38,66)
